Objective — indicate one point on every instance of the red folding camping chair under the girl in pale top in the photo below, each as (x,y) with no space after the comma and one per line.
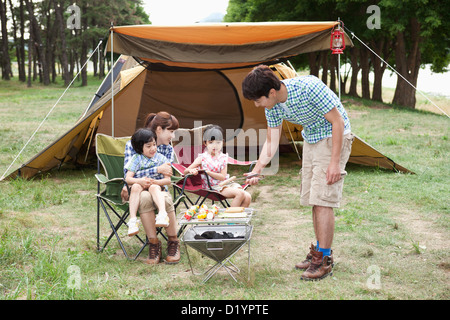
(185,154)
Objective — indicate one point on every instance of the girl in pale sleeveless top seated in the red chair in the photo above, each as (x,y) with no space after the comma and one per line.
(214,162)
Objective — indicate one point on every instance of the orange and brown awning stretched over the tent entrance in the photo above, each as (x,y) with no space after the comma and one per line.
(221,45)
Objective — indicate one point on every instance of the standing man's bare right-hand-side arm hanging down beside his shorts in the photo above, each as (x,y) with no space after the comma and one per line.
(337,134)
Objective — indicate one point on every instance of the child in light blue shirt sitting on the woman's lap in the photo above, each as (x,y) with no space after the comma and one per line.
(143,142)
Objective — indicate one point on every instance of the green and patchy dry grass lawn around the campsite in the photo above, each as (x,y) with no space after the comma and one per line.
(391,227)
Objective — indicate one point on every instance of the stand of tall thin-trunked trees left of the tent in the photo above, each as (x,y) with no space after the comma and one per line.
(52,46)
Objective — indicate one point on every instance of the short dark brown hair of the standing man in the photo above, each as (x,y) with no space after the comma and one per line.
(258,83)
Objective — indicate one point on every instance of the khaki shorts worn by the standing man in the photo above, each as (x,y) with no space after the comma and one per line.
(314,189)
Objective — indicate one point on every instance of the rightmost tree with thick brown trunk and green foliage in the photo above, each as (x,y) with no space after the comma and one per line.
(421,29)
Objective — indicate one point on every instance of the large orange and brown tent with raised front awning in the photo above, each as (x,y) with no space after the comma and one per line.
(194,72)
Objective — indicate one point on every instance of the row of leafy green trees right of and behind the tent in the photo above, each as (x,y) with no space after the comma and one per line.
(412,33)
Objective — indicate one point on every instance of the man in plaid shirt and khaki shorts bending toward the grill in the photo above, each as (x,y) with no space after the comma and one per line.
(327,145)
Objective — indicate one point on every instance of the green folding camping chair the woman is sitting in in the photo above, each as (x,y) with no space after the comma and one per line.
(110,155)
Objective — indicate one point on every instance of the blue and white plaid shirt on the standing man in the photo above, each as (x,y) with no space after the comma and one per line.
(309,99)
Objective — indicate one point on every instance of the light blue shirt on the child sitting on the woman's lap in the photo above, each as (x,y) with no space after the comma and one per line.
(140,164)
